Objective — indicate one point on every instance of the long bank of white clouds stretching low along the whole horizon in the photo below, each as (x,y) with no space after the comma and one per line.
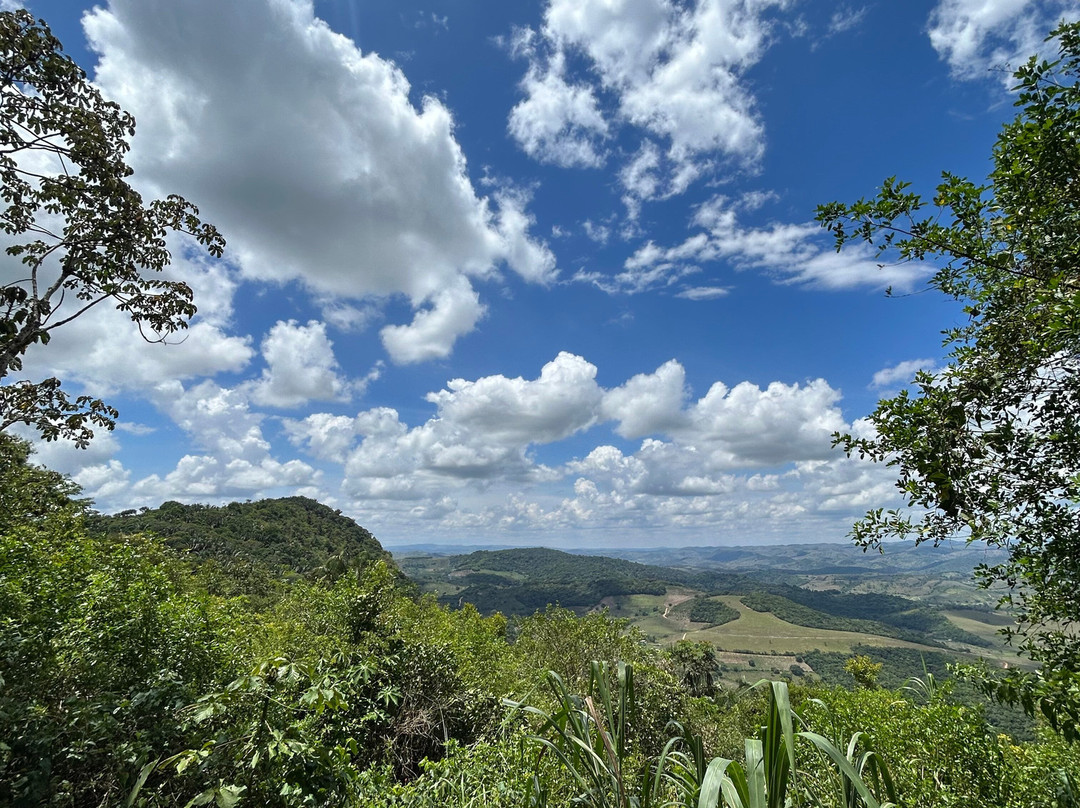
(738,459)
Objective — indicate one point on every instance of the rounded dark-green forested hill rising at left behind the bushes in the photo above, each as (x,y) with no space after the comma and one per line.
(295,533)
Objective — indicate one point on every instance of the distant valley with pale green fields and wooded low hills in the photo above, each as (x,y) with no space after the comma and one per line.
(765,611)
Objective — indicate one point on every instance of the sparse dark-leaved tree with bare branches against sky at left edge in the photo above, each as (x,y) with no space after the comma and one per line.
(79,231)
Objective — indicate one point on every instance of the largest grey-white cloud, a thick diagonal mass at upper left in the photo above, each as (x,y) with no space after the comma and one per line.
(310,157)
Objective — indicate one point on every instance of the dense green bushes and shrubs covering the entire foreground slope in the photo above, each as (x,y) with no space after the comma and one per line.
(132,676)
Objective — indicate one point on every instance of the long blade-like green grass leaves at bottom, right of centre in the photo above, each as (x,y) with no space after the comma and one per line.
(588,738)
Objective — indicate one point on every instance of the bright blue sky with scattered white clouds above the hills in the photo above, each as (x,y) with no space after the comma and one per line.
(530,274)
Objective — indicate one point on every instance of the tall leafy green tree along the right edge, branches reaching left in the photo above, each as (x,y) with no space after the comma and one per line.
(989,450)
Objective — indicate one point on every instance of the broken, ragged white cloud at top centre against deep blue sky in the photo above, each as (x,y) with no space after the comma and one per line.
(671,72)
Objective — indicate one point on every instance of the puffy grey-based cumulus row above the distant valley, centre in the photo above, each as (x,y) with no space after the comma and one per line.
(482,433)
